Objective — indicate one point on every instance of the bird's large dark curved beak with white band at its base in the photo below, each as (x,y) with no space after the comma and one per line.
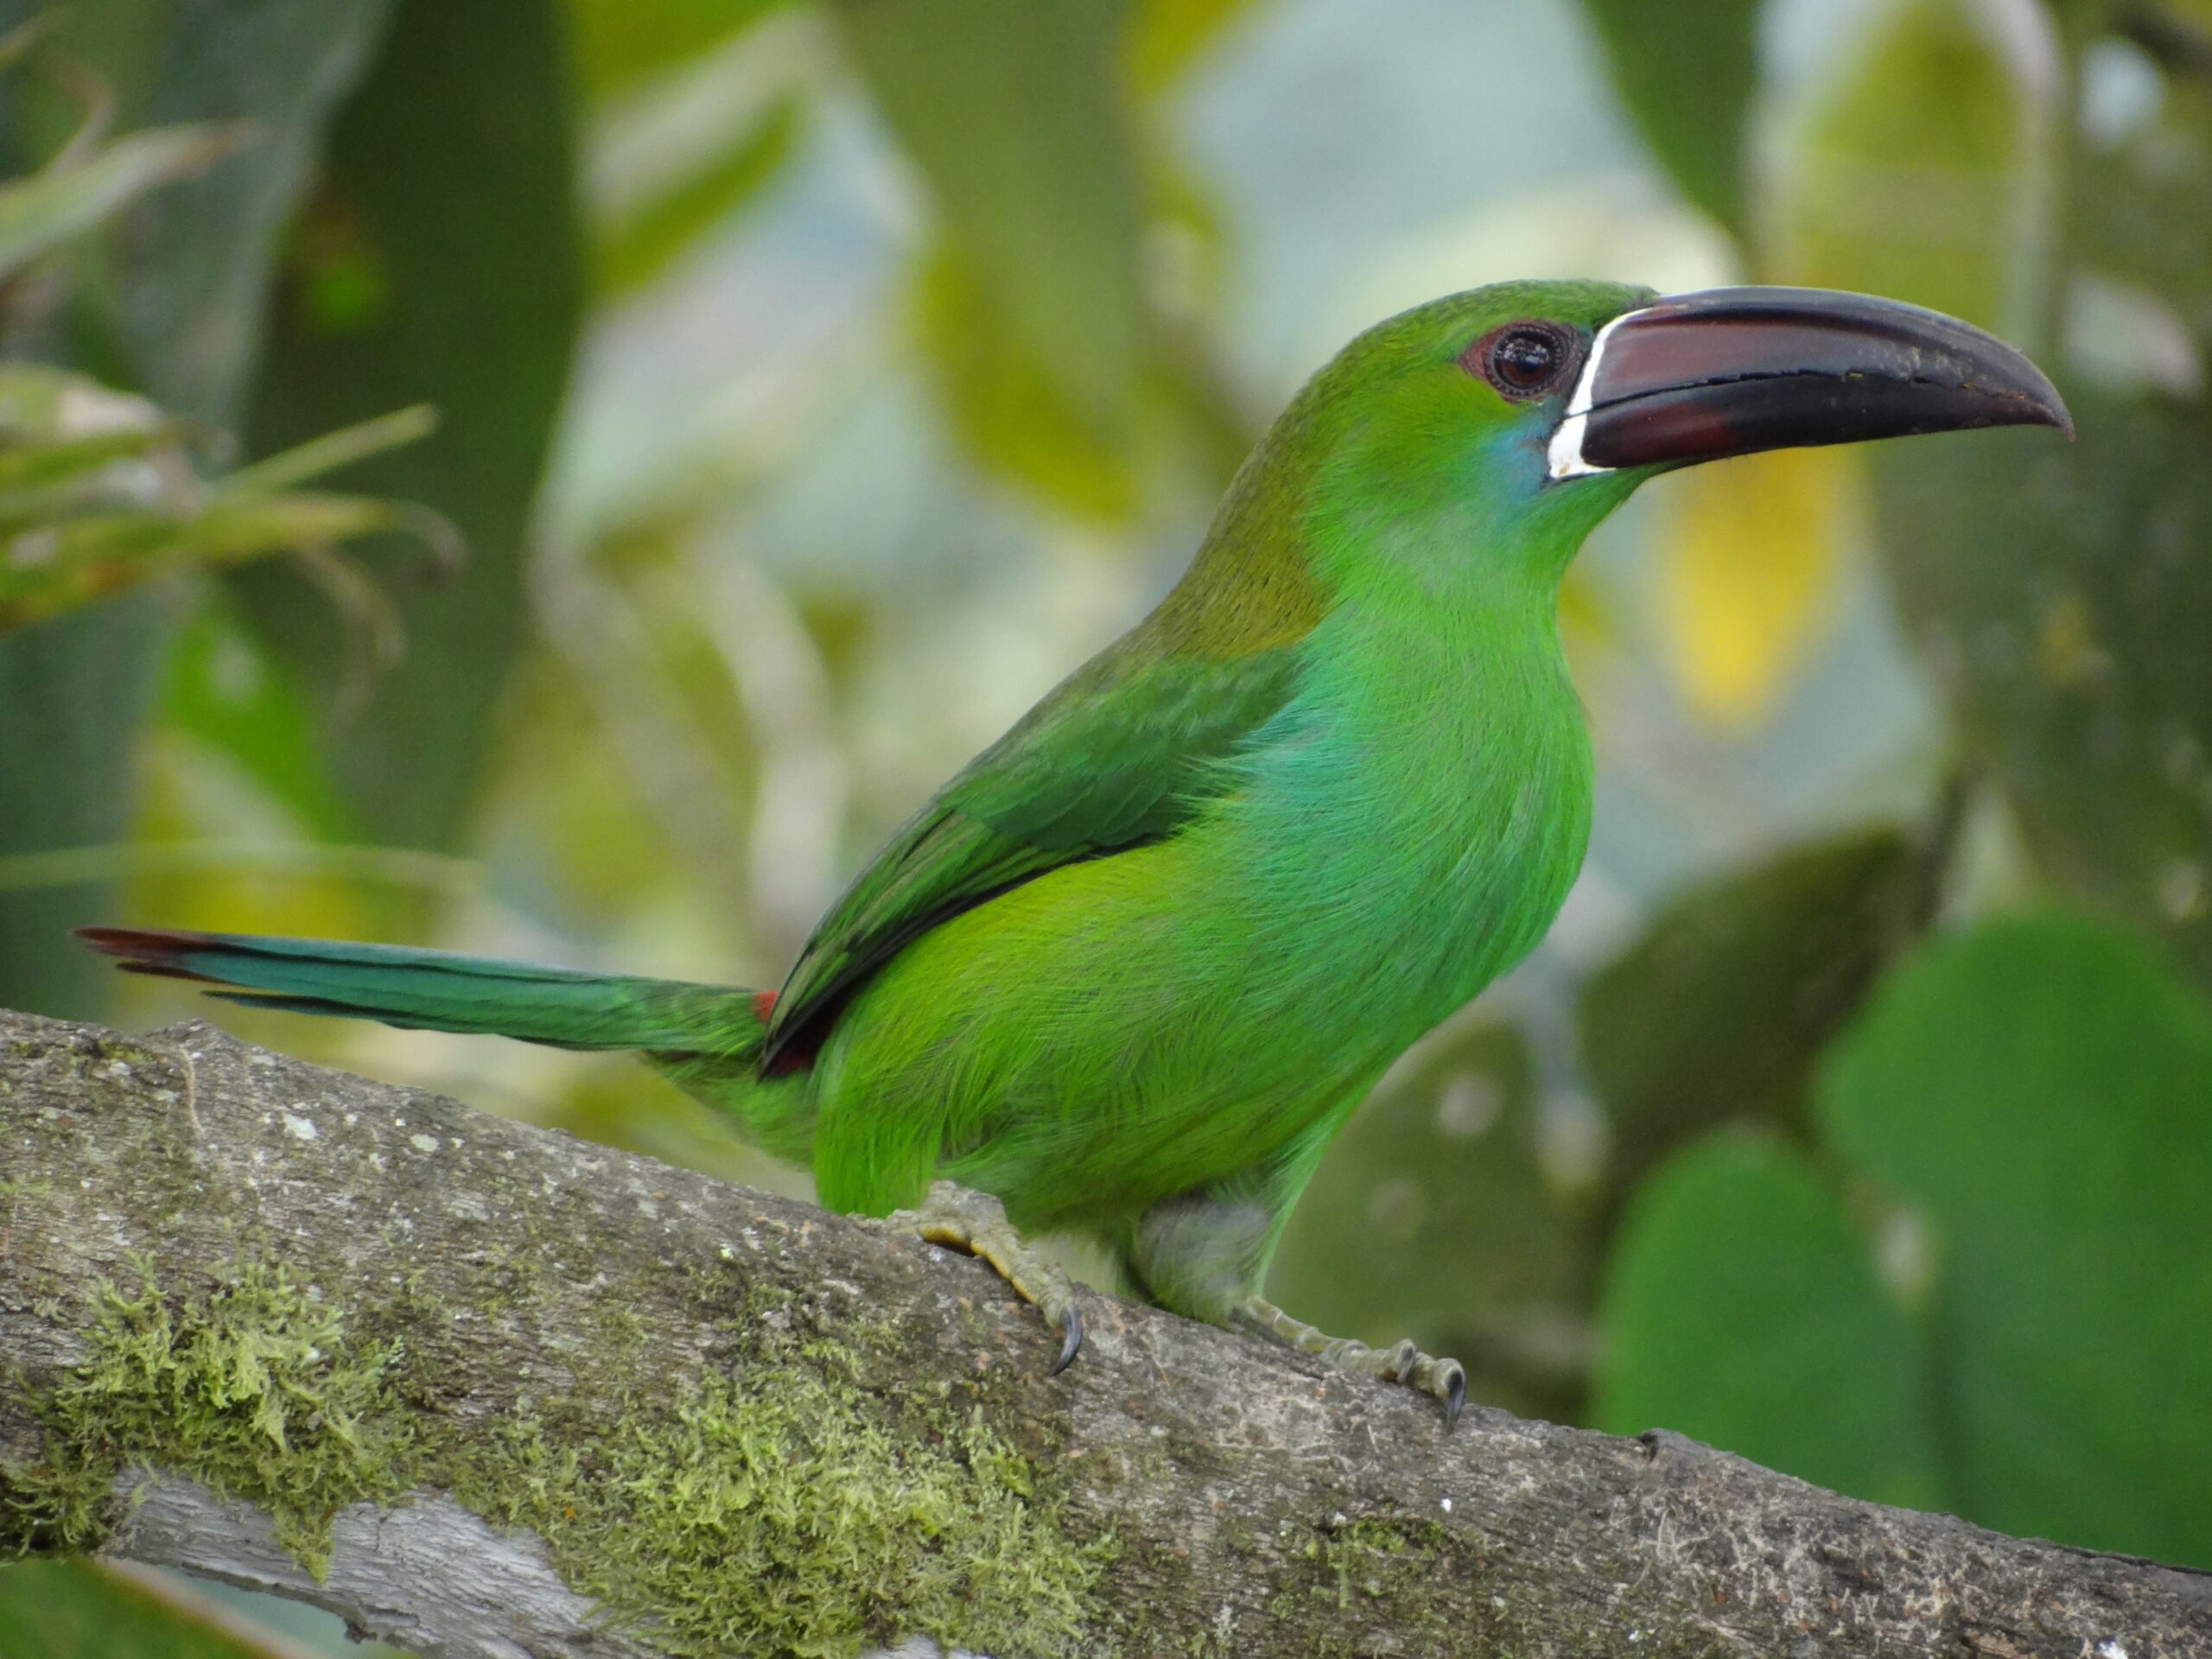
(1735,371)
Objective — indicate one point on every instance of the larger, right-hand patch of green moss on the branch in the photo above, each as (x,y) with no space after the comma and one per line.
(789,1512)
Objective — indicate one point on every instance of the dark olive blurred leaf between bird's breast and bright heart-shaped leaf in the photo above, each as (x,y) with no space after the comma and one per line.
(1720,1010)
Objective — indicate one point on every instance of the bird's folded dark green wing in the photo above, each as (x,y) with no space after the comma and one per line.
(1118,755)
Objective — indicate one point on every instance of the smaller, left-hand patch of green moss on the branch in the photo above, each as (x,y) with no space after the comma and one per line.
(253,1390)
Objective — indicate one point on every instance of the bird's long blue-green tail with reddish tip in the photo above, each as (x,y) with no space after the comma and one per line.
(450,992)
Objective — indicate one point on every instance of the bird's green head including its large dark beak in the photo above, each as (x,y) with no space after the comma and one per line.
(1516,417)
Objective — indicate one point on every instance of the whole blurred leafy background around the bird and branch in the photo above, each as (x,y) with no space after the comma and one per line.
(567,477)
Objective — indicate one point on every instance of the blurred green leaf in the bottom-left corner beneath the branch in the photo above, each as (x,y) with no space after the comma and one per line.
(85,1611)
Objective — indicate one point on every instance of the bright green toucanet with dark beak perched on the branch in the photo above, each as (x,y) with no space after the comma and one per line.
(1129,972)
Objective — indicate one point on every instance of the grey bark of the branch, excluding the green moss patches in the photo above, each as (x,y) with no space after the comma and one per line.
(1255,1501)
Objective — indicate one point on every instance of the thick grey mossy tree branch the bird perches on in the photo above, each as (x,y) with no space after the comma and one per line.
(488,1390)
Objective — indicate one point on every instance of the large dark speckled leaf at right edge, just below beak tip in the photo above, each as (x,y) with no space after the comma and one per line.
(2060,596)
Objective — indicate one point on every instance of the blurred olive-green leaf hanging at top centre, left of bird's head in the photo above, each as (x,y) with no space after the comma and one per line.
(1050,227)
